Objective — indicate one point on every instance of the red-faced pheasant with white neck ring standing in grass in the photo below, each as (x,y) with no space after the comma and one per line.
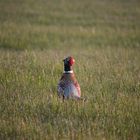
(68,86)
